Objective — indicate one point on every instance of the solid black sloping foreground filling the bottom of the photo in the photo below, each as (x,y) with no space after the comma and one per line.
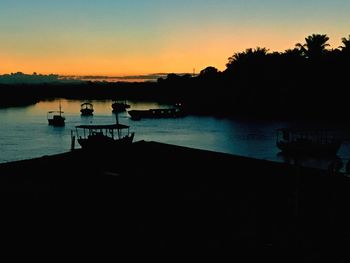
(160,196)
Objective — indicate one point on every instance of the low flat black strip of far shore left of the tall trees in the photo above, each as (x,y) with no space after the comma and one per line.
(26,94)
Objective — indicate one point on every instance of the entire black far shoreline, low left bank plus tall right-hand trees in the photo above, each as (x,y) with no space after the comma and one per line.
(309,81)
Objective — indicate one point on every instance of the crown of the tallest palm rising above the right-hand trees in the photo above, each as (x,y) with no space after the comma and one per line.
(315,46)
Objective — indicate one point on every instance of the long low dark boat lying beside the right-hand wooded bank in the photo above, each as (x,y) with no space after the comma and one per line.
(174,112)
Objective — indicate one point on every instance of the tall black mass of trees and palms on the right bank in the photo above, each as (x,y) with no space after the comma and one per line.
(310,80)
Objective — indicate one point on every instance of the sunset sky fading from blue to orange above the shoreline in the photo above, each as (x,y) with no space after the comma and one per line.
(133,37)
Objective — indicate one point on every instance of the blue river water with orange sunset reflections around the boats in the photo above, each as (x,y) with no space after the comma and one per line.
(25,133)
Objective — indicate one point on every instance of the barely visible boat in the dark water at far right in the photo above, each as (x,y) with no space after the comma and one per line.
(311,142)
